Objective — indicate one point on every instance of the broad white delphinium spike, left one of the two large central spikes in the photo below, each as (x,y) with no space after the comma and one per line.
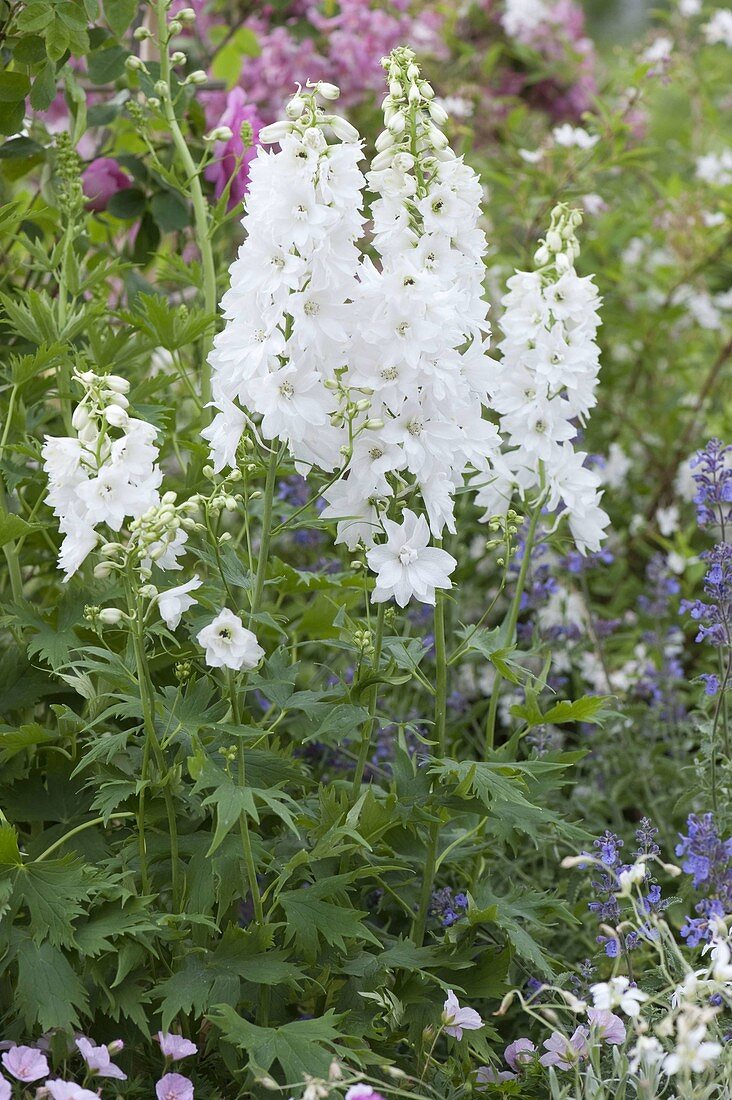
(287,311)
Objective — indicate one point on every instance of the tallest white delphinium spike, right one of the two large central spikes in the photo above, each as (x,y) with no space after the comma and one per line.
(421,322)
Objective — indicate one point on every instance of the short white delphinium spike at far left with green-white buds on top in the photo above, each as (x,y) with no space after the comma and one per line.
(103,476)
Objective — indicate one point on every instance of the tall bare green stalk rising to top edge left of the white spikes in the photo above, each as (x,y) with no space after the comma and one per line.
(198,197)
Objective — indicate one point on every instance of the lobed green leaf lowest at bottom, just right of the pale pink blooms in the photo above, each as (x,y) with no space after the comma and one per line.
(301,1048)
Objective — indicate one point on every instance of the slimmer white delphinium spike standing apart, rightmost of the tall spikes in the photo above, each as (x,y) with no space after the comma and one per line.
(545,386)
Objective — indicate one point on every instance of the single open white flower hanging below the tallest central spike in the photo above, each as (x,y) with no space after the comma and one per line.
(407,566)
